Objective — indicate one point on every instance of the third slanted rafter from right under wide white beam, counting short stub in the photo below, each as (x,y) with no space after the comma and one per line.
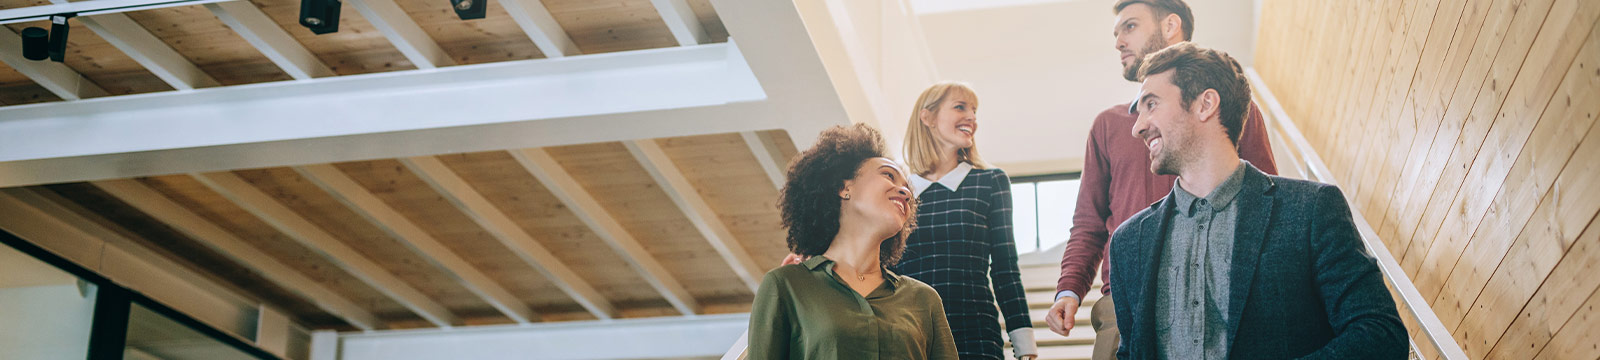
(606,226)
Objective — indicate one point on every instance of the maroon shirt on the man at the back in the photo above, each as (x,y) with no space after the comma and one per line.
(1118,183)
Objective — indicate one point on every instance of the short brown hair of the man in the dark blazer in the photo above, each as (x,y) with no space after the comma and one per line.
(1199,70)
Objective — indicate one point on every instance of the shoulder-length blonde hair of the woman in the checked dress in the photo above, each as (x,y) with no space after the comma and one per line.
(922,150)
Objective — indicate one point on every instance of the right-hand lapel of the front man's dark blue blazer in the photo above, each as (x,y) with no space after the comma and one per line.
(1250,234)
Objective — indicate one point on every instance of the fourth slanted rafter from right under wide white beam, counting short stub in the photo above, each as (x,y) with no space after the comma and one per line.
(455,190)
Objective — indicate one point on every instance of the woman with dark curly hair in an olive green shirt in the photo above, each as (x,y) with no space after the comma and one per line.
(847,207)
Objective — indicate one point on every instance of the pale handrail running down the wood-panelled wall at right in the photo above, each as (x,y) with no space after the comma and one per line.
(1313,164)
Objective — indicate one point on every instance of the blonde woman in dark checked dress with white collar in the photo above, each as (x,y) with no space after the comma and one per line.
(964,246)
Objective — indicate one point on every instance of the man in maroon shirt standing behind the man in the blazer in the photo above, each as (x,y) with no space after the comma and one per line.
(1118,180)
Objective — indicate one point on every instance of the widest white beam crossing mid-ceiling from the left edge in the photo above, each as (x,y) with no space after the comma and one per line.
(623,87)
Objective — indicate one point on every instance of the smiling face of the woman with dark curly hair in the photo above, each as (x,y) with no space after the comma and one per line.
(881,196)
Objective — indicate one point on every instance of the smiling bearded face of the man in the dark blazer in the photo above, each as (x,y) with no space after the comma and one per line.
(1166,126)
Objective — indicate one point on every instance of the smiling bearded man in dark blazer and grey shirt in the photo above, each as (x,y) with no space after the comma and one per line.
(1236,263)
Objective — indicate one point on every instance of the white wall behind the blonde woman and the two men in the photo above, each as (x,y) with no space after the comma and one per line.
(1046,68)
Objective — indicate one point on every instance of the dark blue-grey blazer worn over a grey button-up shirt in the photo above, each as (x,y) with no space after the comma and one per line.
(1302,284)
